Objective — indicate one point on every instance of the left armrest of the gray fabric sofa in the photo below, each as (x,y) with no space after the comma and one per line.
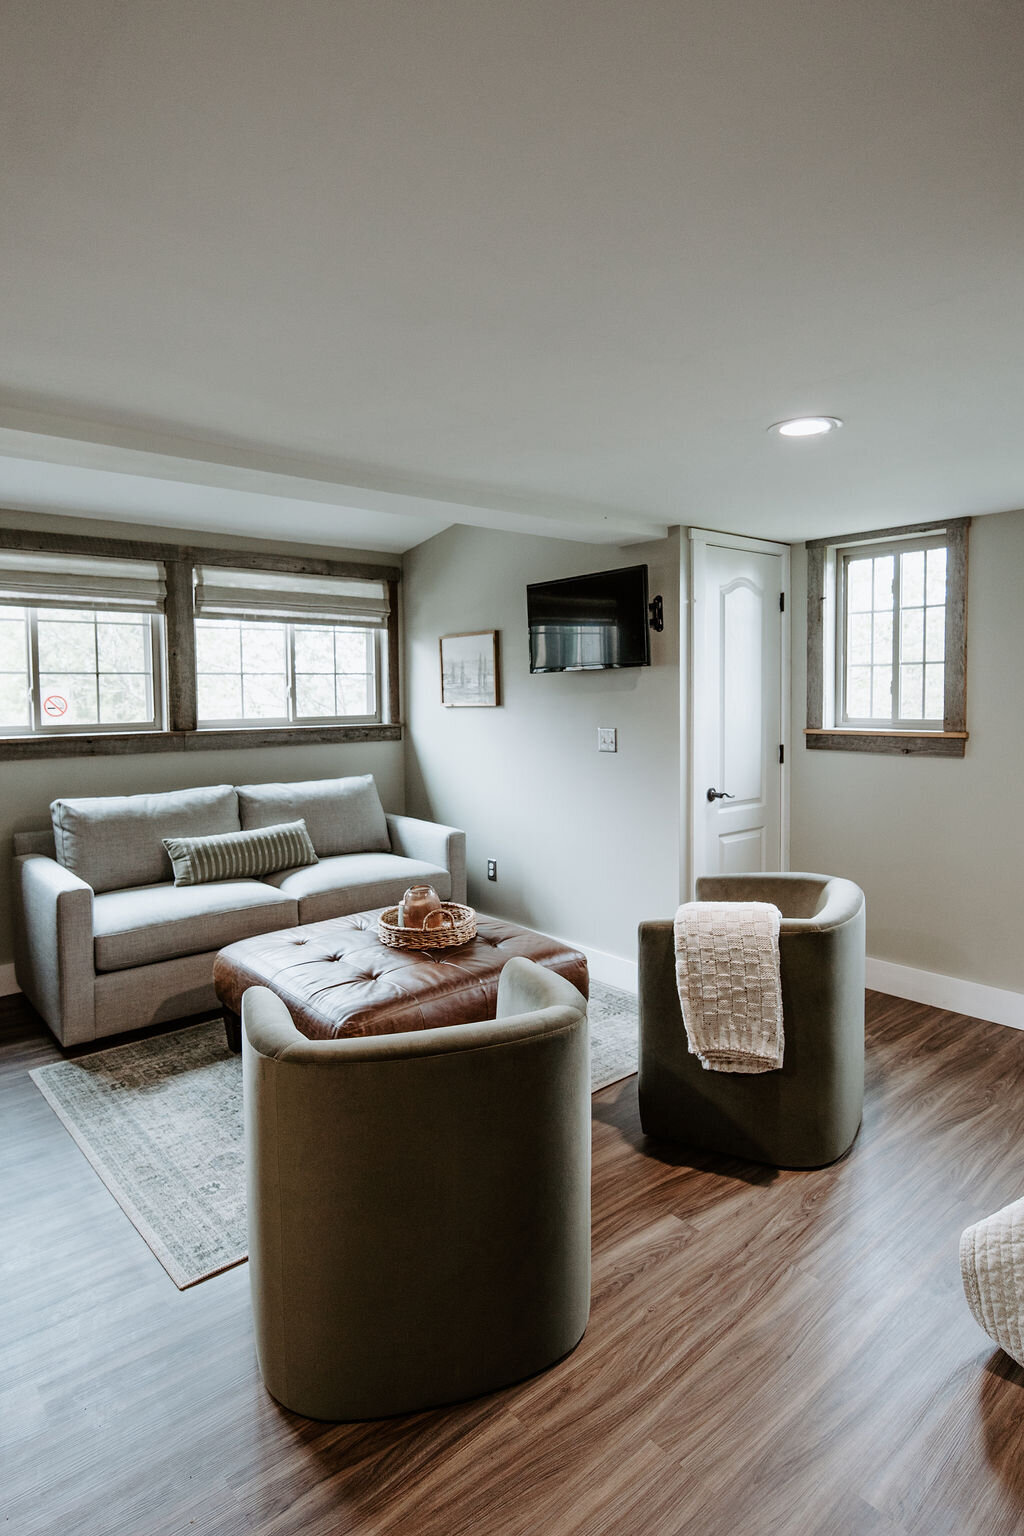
(53,947)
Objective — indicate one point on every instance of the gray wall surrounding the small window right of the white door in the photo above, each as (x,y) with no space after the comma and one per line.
(937,844)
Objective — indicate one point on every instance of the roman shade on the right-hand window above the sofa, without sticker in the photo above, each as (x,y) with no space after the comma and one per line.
(222,594)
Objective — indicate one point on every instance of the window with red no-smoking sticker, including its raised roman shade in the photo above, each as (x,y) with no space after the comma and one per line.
(81,644)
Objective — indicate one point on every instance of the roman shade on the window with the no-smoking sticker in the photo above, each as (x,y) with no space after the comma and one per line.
(81,581)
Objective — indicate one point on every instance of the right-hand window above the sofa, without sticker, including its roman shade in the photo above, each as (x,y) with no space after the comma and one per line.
(285,649)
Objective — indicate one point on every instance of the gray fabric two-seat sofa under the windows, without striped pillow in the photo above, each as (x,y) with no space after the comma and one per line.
(105,942)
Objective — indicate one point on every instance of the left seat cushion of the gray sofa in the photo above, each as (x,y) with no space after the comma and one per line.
(162,922)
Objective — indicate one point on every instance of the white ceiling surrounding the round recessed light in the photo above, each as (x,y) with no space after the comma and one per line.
(352,271)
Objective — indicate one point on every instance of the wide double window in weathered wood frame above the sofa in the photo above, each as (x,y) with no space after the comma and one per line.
(127,646)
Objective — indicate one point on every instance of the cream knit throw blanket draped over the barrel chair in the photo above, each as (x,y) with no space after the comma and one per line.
(727,968)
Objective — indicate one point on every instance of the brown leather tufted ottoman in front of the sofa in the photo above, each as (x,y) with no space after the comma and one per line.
(339,979)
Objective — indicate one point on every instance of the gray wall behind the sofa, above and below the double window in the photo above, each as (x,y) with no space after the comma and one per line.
(27,789)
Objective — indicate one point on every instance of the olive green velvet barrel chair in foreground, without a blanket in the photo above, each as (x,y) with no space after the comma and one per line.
(418,1203)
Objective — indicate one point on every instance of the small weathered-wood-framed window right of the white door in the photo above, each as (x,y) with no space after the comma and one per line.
(887,641)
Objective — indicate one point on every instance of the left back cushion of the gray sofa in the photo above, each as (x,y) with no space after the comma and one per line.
(113,842)
